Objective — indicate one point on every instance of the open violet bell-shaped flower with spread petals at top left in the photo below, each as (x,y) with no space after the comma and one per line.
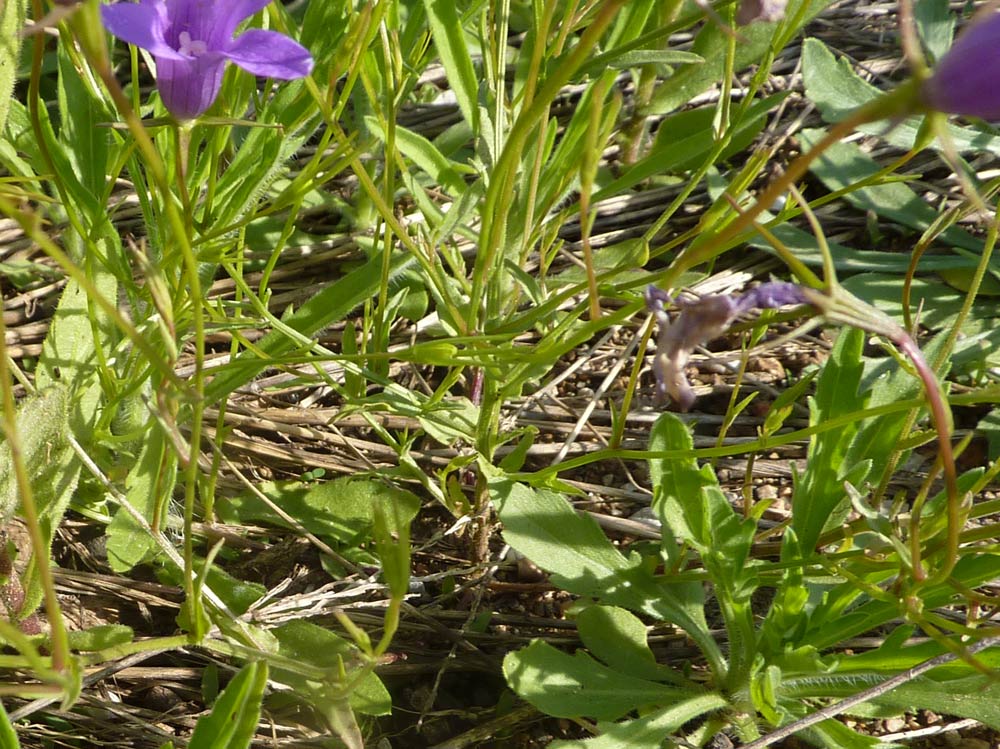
(191,40)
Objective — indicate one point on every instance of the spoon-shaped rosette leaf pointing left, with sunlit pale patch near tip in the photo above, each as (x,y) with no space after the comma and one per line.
(577,686)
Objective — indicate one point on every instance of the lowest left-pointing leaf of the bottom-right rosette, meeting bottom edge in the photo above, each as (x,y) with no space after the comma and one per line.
(648,731)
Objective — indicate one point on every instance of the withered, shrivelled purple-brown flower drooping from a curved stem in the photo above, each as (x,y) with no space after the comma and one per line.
(700,321)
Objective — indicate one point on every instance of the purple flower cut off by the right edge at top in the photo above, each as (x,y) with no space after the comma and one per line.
(966,79)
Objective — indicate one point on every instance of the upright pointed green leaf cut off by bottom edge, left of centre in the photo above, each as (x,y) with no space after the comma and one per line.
(234,717)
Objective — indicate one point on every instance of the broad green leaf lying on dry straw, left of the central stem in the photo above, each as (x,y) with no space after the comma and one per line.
(342,509)
